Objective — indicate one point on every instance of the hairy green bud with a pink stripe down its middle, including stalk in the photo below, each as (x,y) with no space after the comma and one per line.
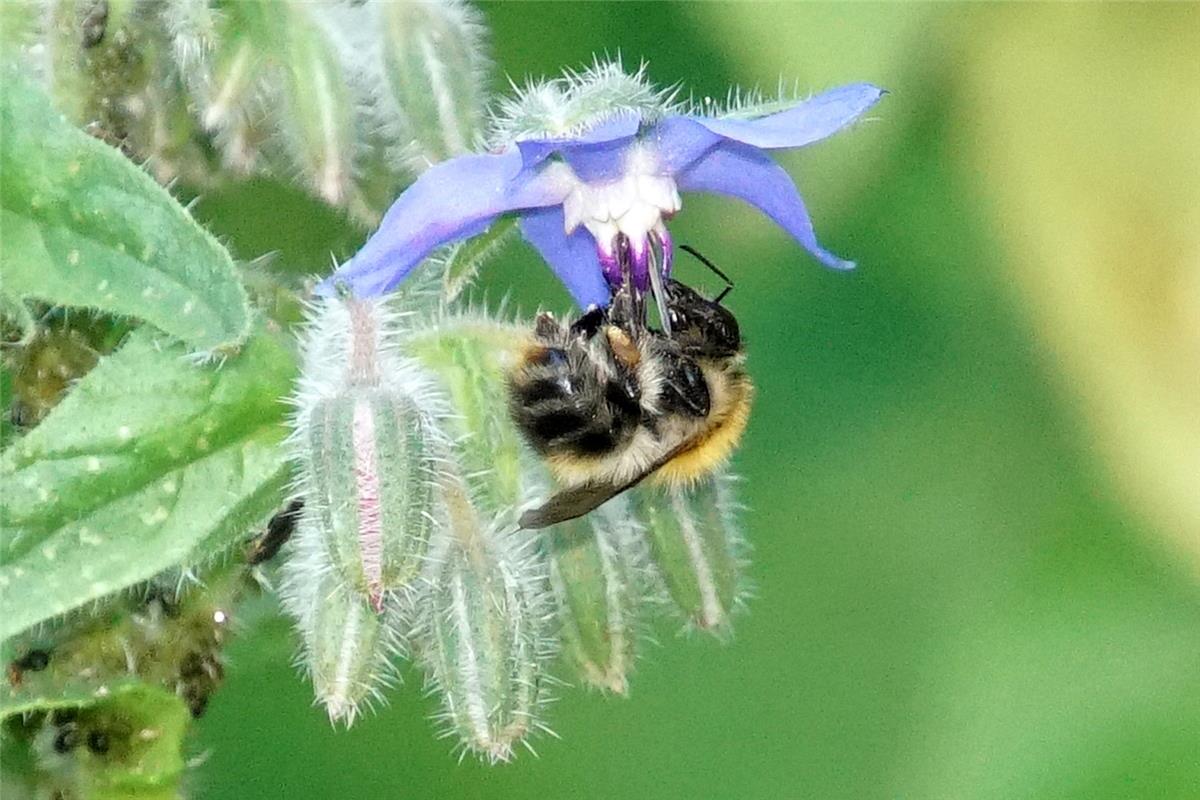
(368,446)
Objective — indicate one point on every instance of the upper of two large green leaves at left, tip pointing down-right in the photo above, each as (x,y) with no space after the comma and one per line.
(85,227)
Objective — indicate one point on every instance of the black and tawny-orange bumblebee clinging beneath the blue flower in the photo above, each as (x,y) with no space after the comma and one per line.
(609,402)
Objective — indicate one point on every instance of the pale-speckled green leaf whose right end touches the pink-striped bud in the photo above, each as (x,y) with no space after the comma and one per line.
(149,464)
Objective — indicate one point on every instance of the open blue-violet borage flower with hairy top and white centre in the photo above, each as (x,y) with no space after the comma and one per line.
(593,165)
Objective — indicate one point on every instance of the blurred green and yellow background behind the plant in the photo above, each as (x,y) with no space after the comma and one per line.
(973,476)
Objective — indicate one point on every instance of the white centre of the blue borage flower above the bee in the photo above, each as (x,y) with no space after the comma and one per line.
(633,204)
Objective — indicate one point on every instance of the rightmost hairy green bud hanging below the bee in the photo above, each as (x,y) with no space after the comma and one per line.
(697,548)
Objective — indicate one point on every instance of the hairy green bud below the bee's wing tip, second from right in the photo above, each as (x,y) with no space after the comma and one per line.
(597,569)
